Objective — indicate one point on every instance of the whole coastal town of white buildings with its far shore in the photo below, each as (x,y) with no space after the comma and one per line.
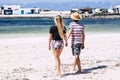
(12,11)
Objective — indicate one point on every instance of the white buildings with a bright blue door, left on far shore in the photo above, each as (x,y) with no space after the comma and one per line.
(17,10)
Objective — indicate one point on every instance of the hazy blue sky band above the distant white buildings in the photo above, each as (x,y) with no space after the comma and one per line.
(61,4)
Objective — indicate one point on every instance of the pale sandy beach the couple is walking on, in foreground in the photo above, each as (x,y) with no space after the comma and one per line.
(26,57)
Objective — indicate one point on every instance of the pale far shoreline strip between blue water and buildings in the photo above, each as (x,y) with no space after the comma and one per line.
(97,16)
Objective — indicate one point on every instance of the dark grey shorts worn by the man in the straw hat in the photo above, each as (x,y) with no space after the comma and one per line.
(76,49)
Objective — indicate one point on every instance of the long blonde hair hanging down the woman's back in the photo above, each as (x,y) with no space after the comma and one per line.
(60,25)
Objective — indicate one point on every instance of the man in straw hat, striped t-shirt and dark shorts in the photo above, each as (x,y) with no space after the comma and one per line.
(77,34)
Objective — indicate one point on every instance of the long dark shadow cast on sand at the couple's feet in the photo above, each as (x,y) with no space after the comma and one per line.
(86,71)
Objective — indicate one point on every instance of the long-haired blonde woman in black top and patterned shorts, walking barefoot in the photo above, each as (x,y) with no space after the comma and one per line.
(56,35)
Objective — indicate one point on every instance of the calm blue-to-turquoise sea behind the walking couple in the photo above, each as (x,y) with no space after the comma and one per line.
(41,25)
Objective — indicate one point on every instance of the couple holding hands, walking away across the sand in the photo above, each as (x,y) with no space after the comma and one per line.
(58,37)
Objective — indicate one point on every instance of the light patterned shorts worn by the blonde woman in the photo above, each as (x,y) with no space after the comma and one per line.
(57,44)
